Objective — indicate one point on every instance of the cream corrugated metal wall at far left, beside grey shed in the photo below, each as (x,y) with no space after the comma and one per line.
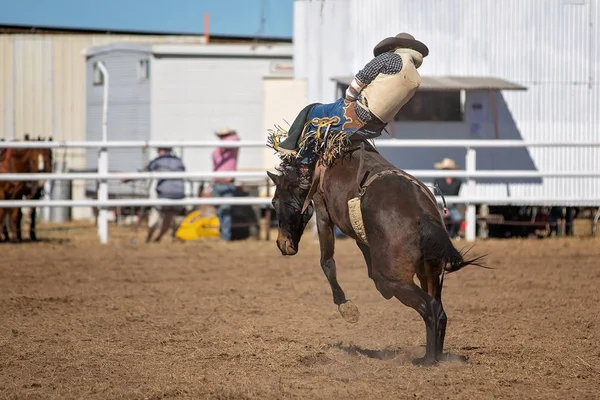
(45,94)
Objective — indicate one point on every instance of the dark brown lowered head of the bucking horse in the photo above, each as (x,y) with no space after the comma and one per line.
(288,200)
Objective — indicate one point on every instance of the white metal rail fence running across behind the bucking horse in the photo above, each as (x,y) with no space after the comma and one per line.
(468,198)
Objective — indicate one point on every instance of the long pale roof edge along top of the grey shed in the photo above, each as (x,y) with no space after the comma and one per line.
(282,50)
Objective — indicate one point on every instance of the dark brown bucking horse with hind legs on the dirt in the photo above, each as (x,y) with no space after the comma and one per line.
(400,232)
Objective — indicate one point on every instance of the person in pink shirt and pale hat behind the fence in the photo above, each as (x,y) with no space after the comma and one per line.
(225,160)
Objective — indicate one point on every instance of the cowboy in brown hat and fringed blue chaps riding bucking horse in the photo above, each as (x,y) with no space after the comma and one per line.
(375,95)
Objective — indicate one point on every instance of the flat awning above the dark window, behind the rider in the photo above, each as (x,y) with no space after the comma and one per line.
(456,83)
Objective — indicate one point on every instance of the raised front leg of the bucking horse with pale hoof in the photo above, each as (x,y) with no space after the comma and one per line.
(325,229)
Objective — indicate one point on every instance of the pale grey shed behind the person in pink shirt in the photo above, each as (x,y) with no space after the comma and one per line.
(181,92)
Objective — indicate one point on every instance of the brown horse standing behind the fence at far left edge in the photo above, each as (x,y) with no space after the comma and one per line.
(22,160)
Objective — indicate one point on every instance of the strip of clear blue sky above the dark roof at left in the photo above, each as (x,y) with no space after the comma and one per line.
(227,17)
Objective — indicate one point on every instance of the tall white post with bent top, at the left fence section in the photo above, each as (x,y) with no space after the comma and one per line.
(103,164)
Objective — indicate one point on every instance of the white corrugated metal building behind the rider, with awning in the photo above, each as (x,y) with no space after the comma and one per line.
(549,47)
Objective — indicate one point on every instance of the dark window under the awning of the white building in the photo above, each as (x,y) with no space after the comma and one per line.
(443,106)
